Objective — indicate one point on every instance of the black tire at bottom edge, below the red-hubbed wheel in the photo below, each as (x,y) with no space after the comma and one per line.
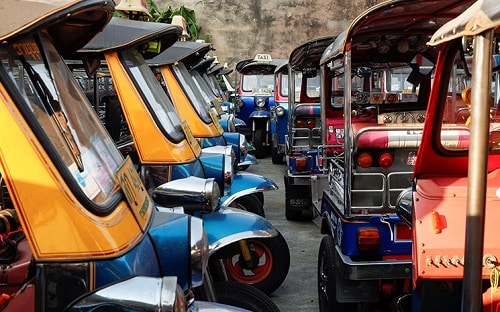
(244,296)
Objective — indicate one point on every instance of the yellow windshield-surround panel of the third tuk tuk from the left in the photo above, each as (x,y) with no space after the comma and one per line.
(186,111)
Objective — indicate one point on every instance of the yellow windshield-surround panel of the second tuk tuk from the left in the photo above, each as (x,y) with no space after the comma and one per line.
(152,146)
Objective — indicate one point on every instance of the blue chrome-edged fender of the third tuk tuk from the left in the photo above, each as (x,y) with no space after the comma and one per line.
(245,183)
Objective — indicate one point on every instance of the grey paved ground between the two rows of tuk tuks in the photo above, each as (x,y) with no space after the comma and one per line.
(299,291)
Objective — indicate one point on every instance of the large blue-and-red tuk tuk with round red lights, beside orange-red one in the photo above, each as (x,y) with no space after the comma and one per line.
(375,87)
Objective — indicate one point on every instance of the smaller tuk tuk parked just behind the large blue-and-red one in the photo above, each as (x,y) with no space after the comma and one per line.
(303,130)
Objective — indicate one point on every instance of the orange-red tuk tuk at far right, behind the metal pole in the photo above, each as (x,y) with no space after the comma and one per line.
(452,205)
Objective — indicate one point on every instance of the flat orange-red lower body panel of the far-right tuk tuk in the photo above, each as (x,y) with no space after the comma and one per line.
(440,217)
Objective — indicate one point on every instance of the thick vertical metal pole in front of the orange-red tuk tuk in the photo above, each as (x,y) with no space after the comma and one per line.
(478,161)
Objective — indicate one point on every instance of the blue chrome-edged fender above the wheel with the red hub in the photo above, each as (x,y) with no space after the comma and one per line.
(226,226)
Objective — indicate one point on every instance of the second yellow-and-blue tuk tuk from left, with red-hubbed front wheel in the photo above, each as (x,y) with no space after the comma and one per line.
(244,245)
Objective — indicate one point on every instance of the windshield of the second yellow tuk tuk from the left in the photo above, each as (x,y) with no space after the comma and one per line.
(159,104)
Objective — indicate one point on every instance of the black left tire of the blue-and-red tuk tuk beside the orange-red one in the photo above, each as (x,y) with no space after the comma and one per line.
(326,279)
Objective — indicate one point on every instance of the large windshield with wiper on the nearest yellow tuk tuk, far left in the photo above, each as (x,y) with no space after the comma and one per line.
(64,121)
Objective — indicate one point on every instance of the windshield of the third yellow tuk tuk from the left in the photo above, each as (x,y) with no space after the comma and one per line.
(199,99)
